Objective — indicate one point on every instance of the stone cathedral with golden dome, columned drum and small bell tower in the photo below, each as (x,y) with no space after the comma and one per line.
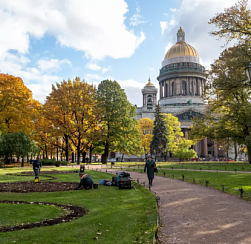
(182,80)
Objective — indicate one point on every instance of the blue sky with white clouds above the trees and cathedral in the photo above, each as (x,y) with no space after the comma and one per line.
(47,41)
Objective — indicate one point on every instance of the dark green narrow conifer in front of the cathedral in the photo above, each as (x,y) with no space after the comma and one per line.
(159,143)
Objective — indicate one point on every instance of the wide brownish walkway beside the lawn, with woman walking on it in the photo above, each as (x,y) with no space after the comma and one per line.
(197,214)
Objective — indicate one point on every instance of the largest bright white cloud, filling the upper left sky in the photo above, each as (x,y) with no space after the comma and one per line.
(94,27)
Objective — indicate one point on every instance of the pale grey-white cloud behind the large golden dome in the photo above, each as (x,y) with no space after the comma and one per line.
(194,16)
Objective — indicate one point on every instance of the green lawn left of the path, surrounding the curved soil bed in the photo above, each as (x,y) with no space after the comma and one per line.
(119,216)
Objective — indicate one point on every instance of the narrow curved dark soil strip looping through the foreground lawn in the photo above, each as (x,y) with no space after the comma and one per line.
(72,212)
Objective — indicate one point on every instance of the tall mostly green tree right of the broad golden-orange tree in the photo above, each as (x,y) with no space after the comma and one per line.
(118,118)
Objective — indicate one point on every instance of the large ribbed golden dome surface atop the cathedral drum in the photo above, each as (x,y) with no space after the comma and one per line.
(181,49)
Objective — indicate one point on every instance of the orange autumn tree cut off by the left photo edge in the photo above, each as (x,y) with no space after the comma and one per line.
(15,105)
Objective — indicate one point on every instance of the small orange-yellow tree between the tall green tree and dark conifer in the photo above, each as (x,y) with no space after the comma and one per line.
(145,126)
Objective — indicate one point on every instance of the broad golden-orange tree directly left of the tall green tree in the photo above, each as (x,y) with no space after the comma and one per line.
(71,108)
